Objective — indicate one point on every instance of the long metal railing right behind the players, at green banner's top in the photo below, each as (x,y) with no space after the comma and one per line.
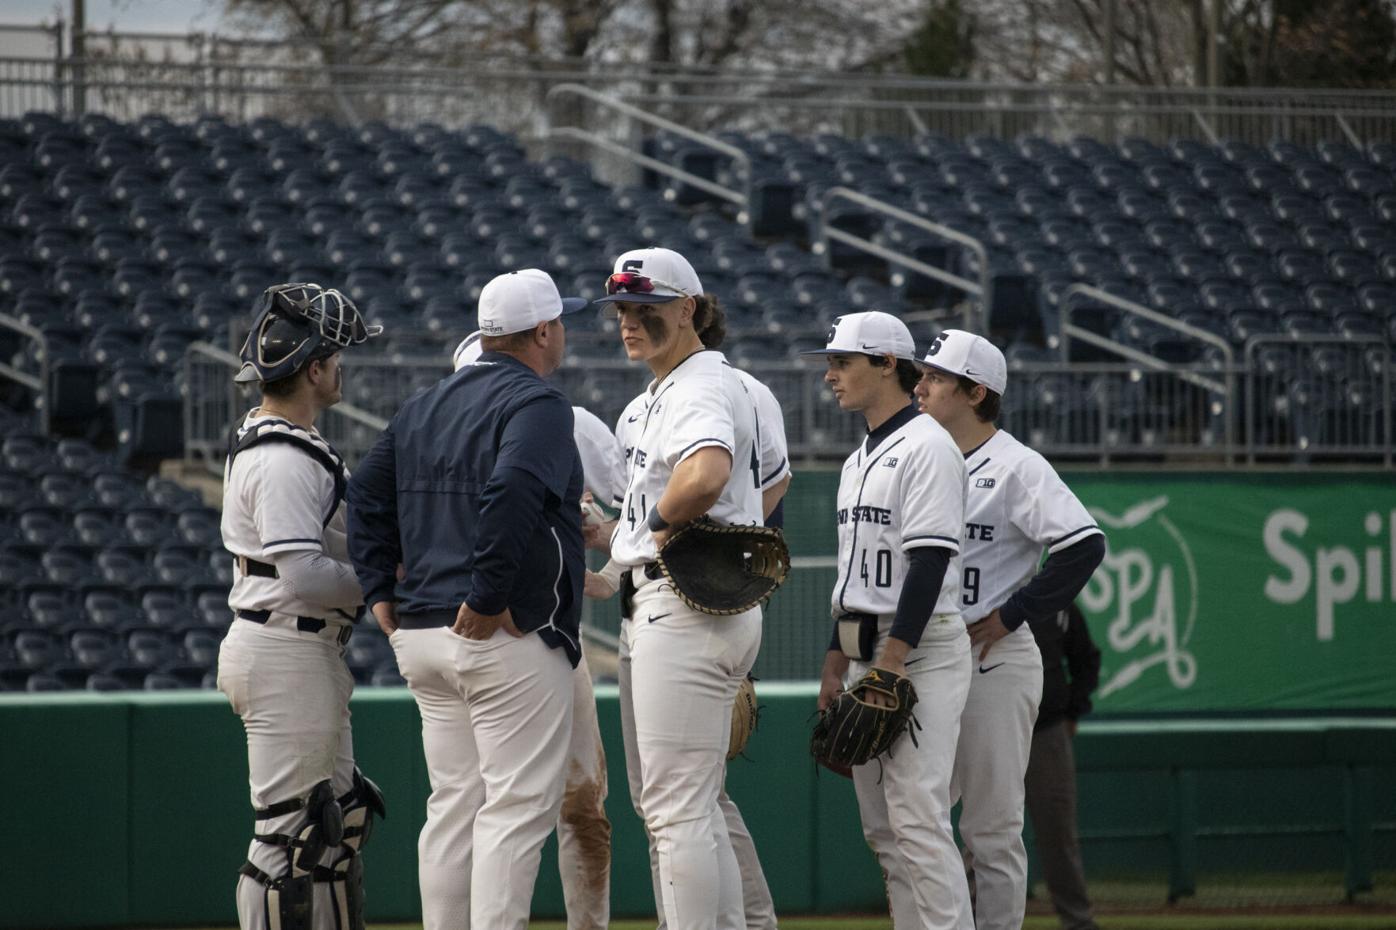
(1094,413)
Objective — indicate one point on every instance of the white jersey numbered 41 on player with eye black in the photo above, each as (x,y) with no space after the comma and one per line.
(701,403)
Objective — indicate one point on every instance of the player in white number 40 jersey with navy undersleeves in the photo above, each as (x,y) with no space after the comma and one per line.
(901,510)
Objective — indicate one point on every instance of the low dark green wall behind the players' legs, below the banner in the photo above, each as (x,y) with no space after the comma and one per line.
(133,811)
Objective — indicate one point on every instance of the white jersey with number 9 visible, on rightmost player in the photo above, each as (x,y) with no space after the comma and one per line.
(1016,506)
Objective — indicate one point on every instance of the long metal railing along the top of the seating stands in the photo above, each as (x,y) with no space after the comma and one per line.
(129,76)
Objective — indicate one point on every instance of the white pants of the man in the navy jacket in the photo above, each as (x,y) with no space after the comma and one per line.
(496,724)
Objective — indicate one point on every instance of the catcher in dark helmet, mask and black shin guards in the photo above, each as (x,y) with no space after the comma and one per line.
(295,600)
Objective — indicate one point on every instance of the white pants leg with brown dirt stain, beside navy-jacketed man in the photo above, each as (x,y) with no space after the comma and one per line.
(583,829)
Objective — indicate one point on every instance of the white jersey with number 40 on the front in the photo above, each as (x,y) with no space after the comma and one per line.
(908,492)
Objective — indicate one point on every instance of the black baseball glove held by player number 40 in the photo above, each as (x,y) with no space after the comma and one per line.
(852,731)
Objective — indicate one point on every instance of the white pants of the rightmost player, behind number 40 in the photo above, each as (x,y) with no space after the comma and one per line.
(990,763)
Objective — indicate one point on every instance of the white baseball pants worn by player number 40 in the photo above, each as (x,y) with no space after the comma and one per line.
(905,797)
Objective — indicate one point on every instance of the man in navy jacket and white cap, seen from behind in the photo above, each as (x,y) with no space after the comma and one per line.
(473,494)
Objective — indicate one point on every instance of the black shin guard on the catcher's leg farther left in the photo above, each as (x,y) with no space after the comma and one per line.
(318,826)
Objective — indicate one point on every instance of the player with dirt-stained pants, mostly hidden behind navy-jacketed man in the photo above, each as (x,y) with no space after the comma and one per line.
(583,827)
